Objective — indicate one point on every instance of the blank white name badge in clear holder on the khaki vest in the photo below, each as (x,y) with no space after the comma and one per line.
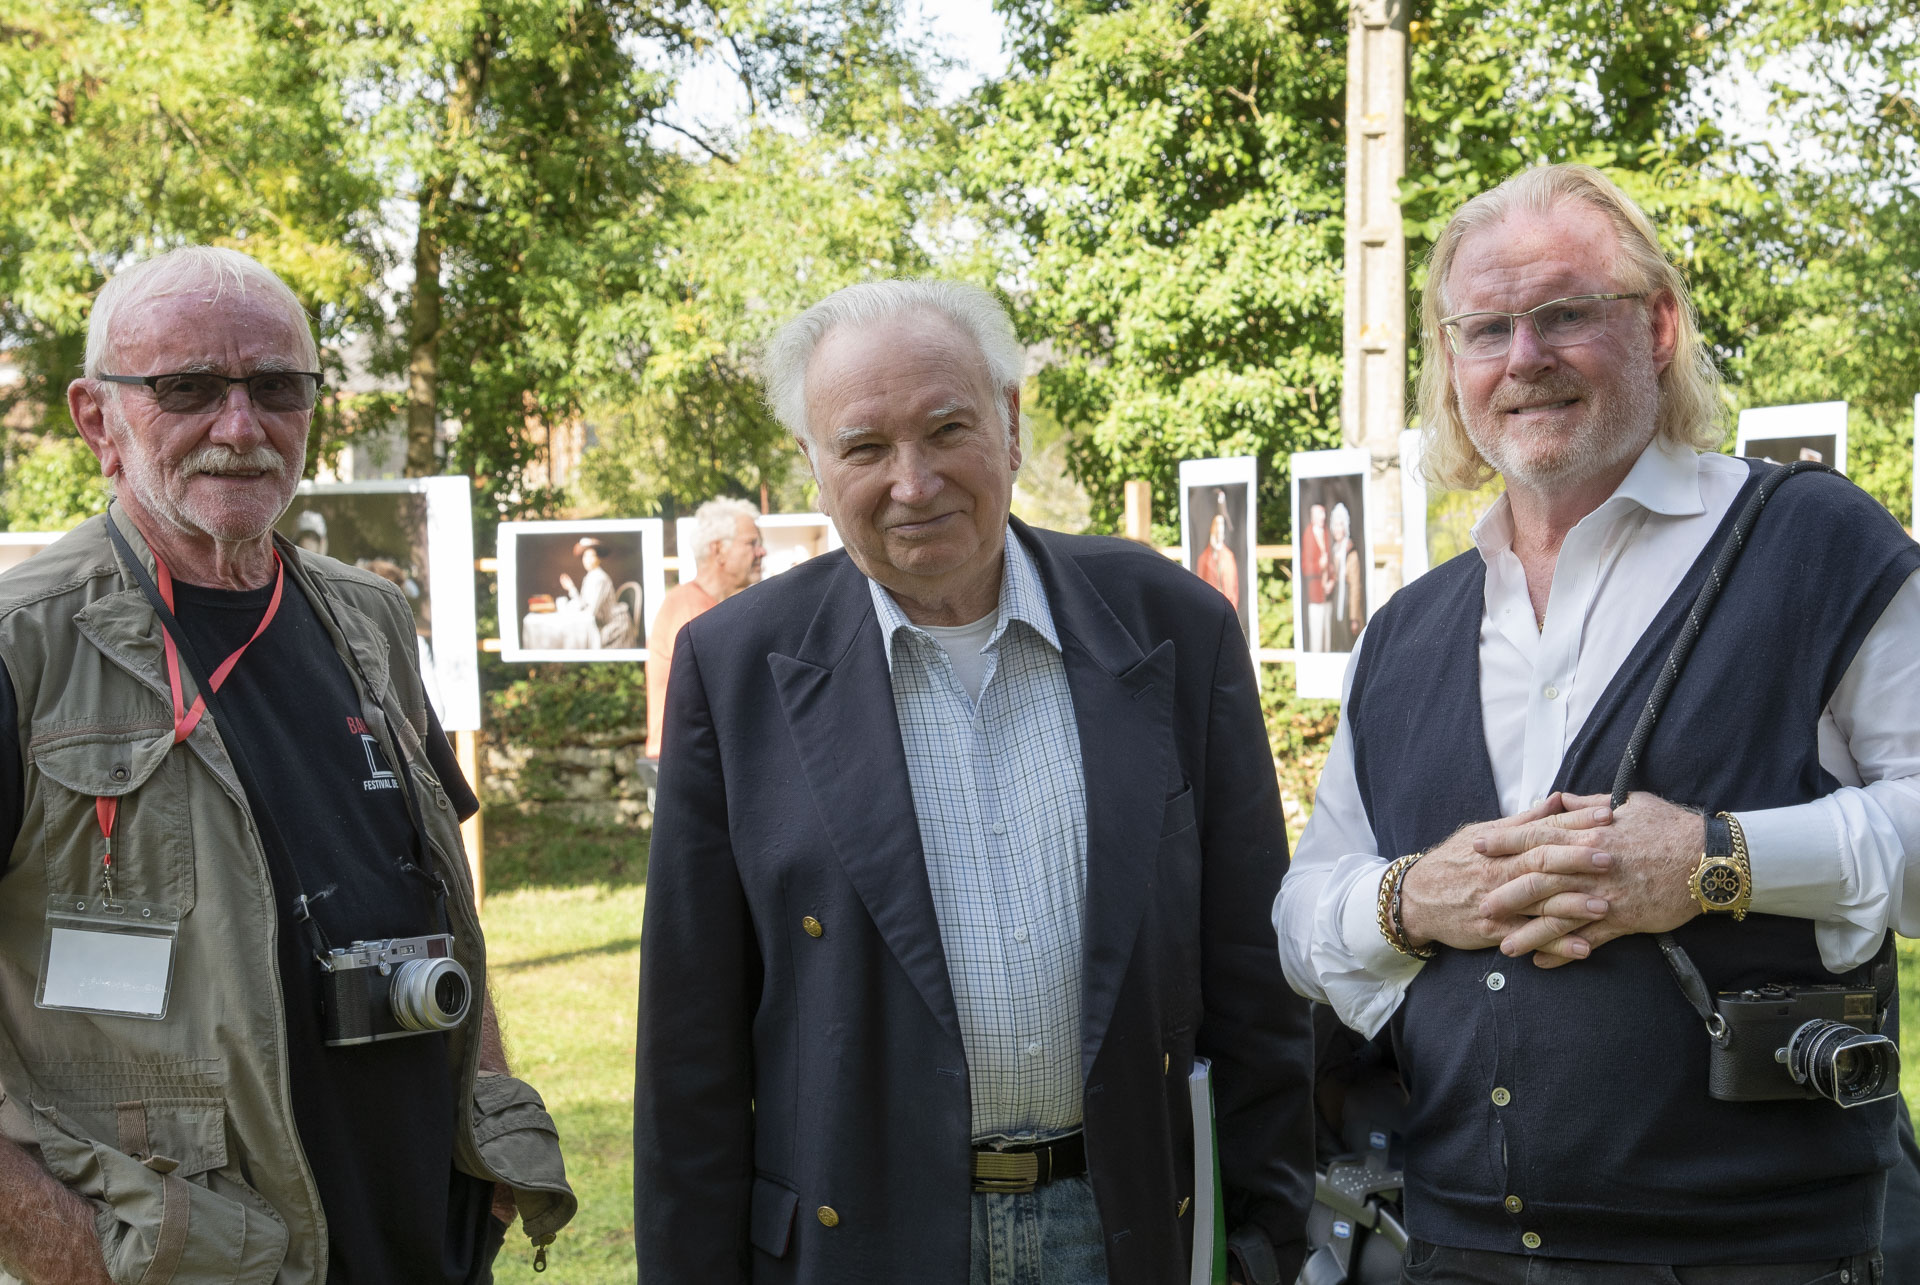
(108,958)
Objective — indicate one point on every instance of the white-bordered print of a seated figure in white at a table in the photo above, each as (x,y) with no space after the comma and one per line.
(581,591)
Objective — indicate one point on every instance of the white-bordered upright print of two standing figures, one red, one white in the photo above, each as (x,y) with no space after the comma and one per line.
(1333,556)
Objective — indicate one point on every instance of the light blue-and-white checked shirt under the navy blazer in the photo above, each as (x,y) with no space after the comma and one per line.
(1001,802)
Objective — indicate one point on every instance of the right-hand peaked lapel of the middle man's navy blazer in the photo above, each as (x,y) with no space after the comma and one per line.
(1124,712)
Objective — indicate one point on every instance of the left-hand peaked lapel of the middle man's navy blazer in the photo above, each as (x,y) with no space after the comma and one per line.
(838,698)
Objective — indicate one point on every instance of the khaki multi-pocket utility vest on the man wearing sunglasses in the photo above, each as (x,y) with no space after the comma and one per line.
(181,1130)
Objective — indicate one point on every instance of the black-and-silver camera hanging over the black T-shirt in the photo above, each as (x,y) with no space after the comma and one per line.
(393,988)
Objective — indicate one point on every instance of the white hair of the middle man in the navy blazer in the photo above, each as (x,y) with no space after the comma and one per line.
(972,310)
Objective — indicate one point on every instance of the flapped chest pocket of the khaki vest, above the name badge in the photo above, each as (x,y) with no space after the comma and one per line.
(153,827)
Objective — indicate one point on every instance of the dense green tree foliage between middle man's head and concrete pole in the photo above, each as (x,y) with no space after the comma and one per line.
(1164,183)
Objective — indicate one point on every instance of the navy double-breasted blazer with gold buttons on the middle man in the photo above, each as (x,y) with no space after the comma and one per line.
(802,1107)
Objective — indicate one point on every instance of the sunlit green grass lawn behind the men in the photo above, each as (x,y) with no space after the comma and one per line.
(564,940)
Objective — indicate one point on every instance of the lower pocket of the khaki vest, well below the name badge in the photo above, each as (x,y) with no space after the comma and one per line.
(170,1215)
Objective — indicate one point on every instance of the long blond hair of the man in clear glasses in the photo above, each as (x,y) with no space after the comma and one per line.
(1691,408)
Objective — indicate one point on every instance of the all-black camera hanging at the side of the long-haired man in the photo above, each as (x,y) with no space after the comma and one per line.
(1790,1042)
